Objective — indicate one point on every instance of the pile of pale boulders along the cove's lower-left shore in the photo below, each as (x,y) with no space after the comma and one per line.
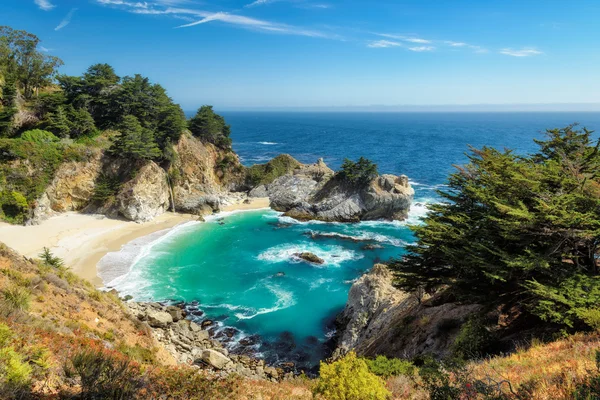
(191,344)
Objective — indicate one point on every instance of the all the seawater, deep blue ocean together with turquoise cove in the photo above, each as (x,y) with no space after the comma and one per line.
(239,269)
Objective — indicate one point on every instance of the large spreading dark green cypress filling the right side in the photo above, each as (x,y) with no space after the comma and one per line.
(517,230)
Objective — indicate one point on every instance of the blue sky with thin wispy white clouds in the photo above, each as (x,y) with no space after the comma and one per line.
(245,54)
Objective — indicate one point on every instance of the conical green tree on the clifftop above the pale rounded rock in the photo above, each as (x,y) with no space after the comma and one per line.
(134,141)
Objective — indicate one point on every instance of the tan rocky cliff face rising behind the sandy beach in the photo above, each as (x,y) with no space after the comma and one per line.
(200,180)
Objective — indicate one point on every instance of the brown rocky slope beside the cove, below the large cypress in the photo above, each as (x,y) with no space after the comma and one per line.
(380,319)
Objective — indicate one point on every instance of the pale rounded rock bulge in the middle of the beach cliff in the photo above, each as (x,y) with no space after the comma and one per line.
(146,196)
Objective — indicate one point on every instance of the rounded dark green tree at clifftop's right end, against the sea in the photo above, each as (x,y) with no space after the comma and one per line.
(210,127)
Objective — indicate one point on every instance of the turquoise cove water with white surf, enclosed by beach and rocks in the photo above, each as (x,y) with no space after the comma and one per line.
(239,271)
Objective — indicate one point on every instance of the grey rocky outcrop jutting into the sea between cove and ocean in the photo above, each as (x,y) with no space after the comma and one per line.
(314,192)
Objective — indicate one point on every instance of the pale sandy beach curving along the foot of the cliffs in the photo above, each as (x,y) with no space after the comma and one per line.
(83,239)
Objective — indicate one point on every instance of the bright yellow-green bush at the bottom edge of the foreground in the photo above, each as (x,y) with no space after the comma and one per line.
(349,378)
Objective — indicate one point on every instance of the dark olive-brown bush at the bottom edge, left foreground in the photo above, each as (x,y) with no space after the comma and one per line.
(103,376)
